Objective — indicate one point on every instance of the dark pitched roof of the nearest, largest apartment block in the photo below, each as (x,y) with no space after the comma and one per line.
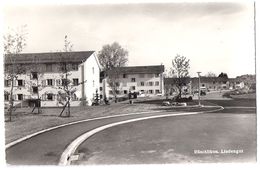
(52,57)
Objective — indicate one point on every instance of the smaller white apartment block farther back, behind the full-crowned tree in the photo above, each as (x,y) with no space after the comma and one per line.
(143,79)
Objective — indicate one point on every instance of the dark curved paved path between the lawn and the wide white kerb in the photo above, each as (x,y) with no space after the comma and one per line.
(46,148)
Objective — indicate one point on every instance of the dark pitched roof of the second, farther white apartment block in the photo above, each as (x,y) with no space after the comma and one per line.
(139,69)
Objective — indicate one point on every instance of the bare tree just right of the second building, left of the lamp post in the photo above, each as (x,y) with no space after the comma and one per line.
(180,69)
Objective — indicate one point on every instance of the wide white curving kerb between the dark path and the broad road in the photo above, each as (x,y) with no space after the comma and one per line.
(71,148)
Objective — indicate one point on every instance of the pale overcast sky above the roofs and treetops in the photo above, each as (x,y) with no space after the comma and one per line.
(216,37)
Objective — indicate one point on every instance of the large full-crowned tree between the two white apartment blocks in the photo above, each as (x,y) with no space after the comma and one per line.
(111,57)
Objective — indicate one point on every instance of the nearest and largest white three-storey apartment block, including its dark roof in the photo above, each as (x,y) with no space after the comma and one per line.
(45,75)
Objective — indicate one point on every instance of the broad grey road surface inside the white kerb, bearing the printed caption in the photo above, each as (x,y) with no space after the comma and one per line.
(212,137)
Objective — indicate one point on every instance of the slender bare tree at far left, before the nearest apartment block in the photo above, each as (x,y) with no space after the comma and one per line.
(14,43)
